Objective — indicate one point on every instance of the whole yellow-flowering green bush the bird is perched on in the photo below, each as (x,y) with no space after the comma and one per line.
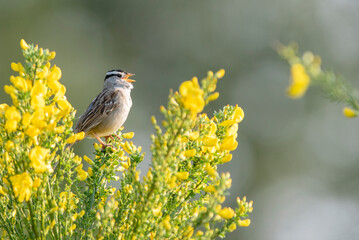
(45,192)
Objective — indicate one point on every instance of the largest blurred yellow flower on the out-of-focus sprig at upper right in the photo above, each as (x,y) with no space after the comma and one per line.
(300,81)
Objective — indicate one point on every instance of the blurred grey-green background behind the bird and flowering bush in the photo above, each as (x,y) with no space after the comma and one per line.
(297,160)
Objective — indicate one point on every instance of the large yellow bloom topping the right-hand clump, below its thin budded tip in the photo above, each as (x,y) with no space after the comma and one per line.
(192,96)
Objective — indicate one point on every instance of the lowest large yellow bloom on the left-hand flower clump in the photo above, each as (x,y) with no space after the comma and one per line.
(22,184)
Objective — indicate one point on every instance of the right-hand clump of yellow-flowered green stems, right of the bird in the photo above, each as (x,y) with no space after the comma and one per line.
(186,157)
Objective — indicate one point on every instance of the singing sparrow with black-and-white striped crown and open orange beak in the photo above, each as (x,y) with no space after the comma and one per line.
(109,110)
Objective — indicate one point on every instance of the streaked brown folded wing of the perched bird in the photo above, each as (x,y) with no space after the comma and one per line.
(98,110)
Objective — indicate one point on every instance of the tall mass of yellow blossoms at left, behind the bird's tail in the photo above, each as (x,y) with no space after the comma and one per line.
(39,113)
